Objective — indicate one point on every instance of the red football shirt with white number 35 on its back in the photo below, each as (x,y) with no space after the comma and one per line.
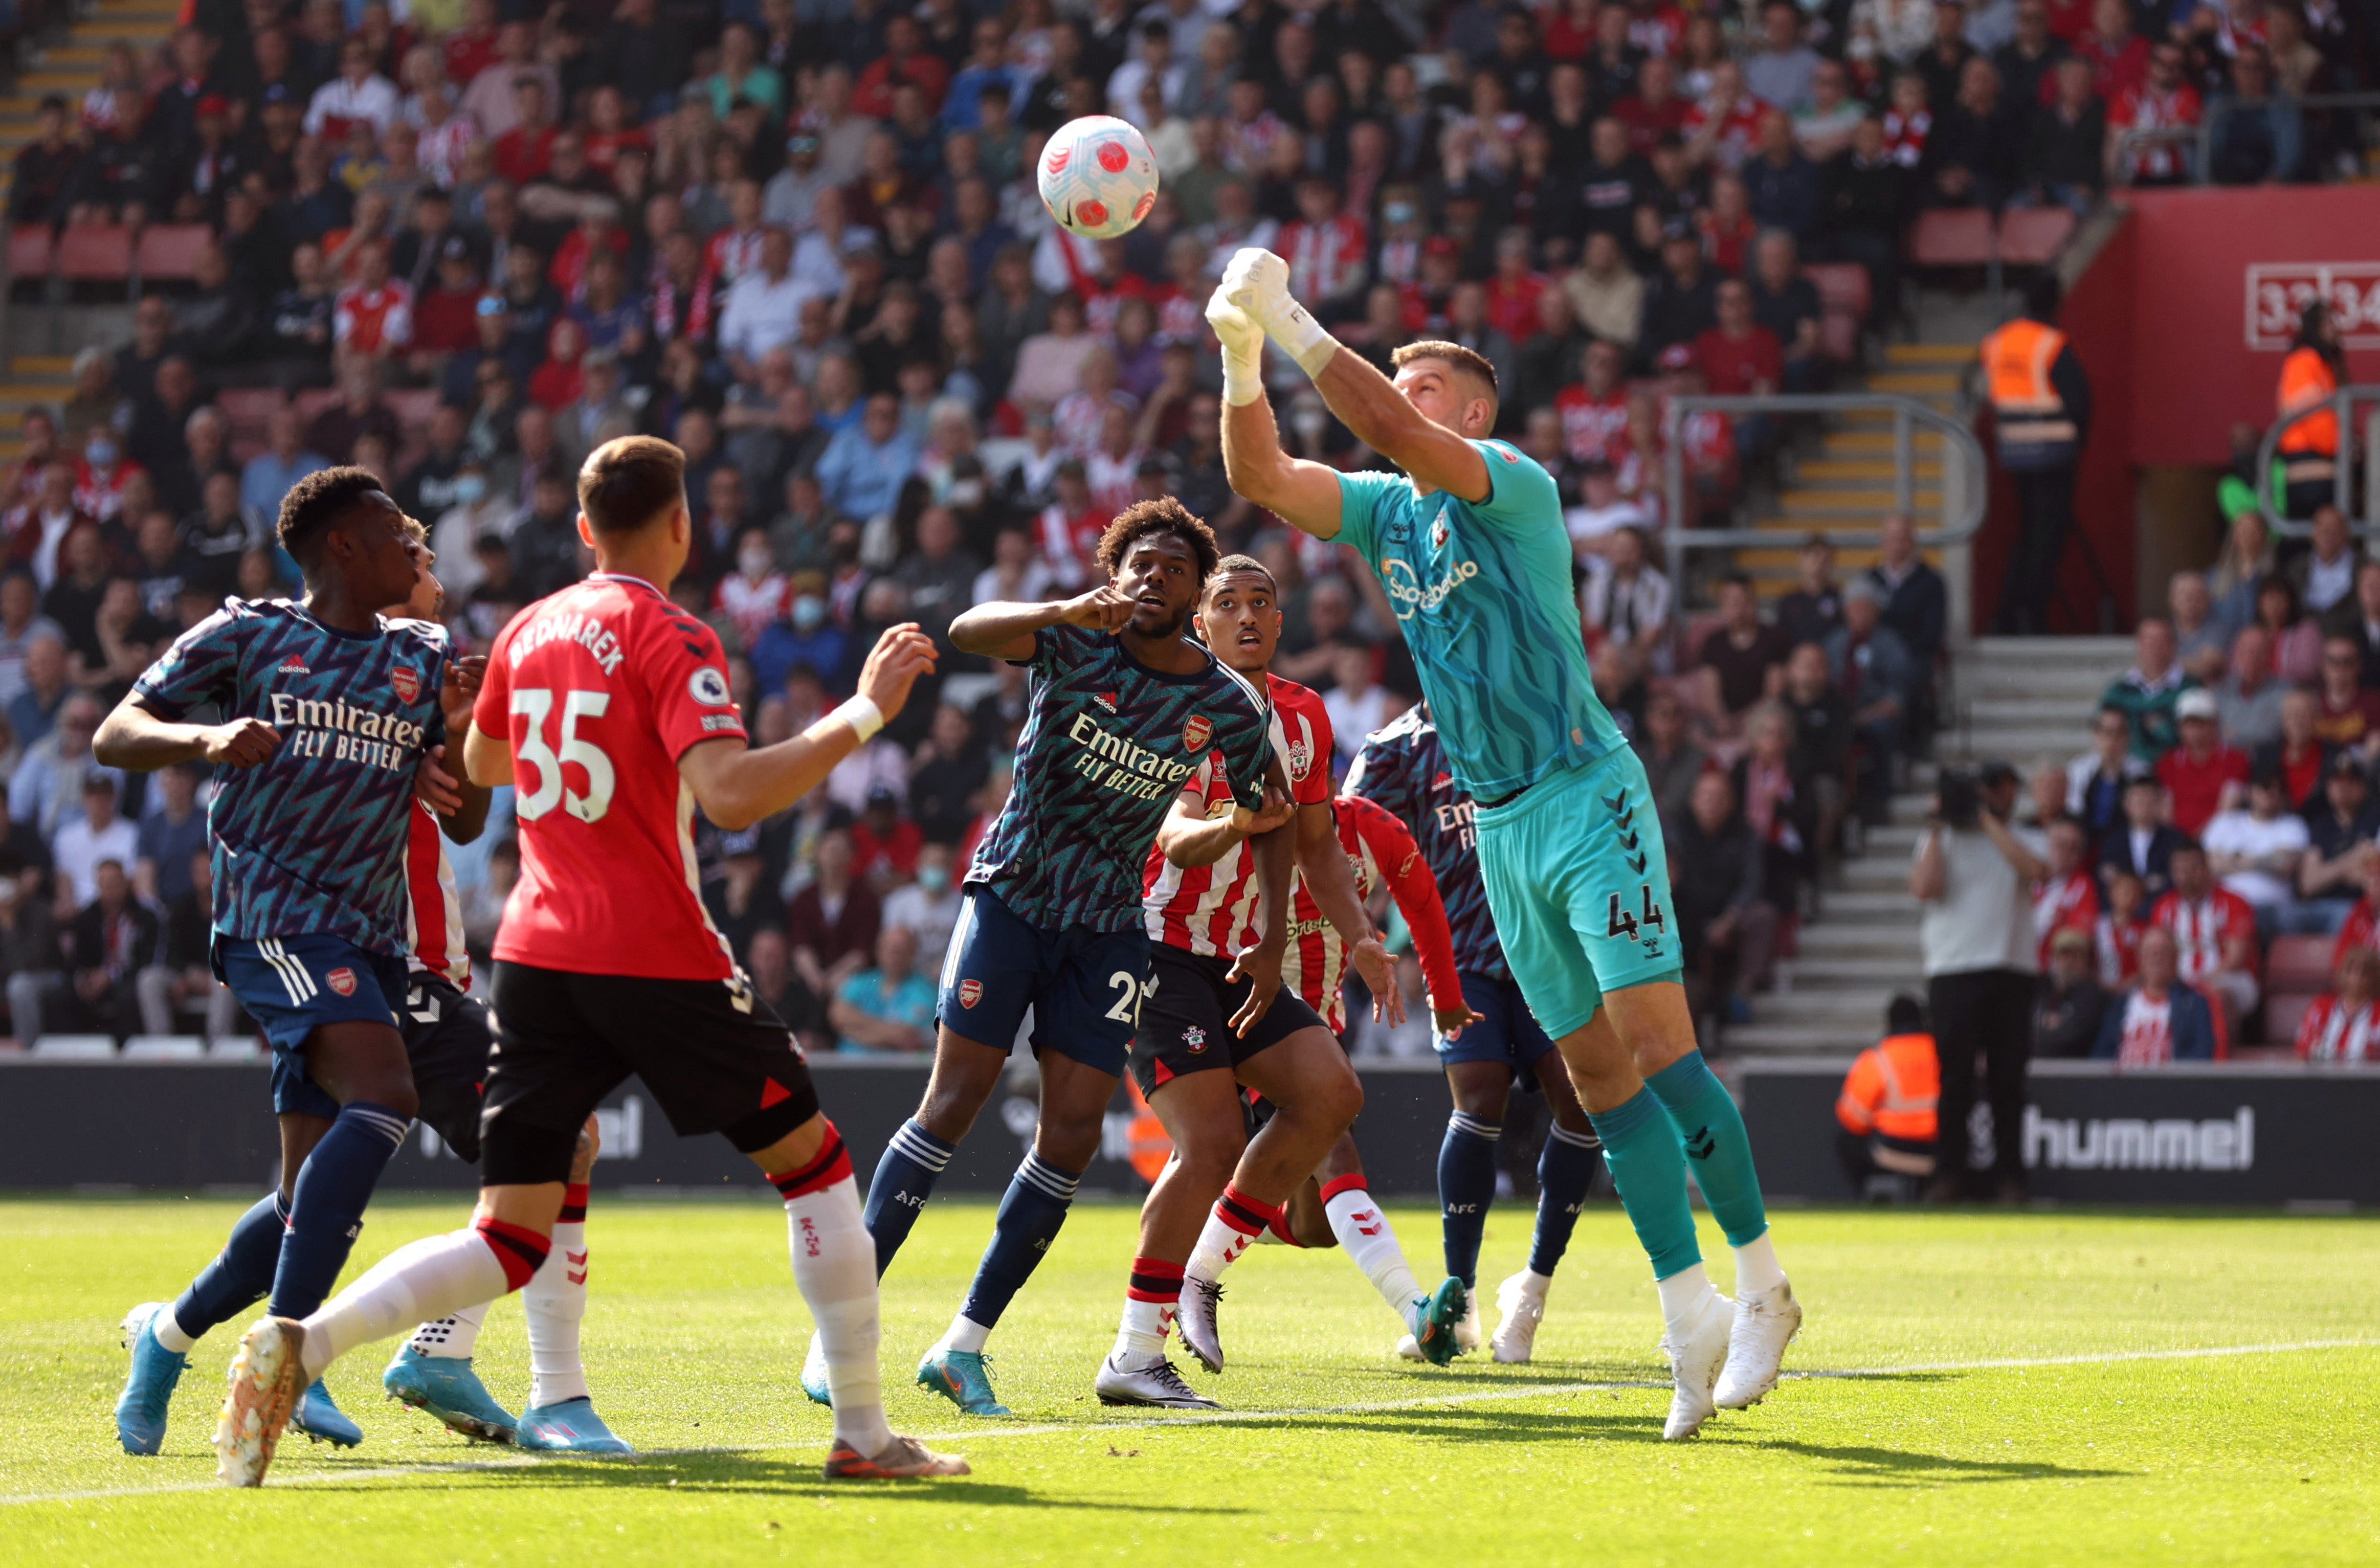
(599,691)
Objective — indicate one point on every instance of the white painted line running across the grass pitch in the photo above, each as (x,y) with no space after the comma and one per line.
(1367,1407)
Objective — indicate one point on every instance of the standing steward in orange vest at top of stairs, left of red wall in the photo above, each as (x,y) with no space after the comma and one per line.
(2041,401)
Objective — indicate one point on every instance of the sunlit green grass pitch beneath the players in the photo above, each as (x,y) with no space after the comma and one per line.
(696,1334)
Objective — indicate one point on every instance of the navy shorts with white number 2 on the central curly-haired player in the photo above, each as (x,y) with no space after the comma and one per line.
(1084,986)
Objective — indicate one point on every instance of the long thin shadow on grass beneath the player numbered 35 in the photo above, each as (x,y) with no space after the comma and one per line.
(772,1476)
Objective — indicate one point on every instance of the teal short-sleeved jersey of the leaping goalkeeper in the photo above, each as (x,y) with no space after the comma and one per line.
(1484,598)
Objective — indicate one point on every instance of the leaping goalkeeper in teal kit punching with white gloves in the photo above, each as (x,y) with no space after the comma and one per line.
(1470,544)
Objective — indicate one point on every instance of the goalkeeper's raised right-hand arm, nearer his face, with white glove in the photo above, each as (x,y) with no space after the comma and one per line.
(1377,413)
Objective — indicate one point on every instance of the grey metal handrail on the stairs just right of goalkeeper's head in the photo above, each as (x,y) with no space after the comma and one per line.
(1965,494)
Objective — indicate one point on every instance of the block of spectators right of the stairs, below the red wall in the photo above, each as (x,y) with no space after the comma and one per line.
(2212,858)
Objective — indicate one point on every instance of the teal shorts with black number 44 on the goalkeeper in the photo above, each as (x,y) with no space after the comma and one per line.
(1579,884)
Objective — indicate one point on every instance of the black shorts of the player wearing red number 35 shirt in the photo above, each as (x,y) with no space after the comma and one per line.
(713,1055)
